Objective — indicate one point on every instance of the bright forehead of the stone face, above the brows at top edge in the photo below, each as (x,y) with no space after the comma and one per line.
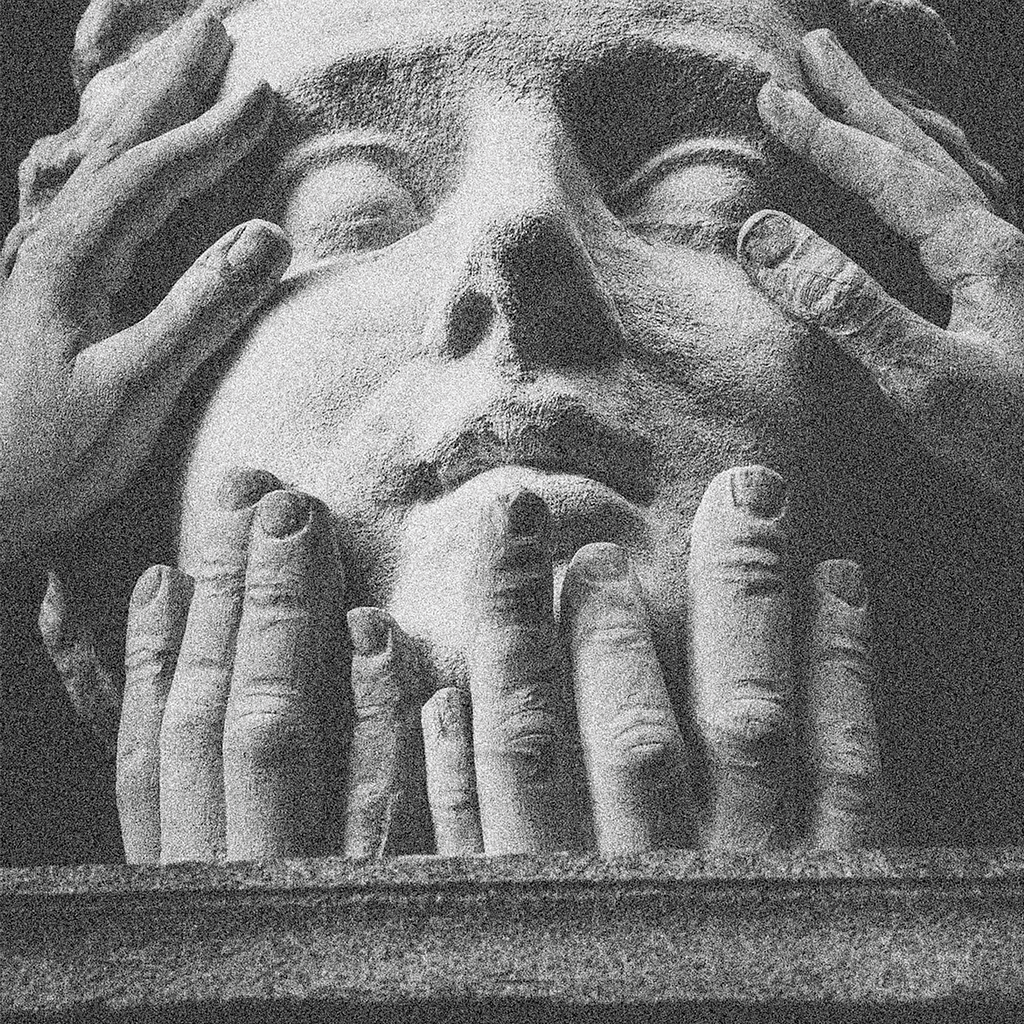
(287,41)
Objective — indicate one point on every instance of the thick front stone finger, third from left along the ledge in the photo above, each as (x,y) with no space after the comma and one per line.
(284,706)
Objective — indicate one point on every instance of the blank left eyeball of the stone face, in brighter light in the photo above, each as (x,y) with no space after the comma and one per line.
(349,205)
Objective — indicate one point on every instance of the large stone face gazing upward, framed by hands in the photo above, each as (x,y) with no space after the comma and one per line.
(516,232)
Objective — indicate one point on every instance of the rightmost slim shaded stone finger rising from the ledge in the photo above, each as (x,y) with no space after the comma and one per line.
(842,730)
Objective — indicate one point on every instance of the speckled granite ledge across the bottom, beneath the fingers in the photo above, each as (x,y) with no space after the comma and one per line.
(925,935)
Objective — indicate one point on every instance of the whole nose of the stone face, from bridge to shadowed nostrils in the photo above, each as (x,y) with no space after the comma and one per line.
(523,275)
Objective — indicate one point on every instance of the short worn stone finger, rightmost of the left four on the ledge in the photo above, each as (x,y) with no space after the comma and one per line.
(380,777)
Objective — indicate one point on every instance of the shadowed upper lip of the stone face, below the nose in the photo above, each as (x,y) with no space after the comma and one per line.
(558,435)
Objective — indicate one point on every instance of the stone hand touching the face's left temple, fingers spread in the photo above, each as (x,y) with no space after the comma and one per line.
(81,403)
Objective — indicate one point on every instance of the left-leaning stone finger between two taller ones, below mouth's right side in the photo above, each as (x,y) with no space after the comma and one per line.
(632,745)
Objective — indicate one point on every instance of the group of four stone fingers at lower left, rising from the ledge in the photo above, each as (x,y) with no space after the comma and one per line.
(240,736)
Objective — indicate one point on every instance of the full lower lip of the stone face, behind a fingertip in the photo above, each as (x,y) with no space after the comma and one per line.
(583,511)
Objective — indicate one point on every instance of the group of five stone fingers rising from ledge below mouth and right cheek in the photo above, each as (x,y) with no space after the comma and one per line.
(510,742)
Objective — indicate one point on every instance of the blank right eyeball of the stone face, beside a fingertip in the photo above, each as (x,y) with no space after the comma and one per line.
(700,201)
